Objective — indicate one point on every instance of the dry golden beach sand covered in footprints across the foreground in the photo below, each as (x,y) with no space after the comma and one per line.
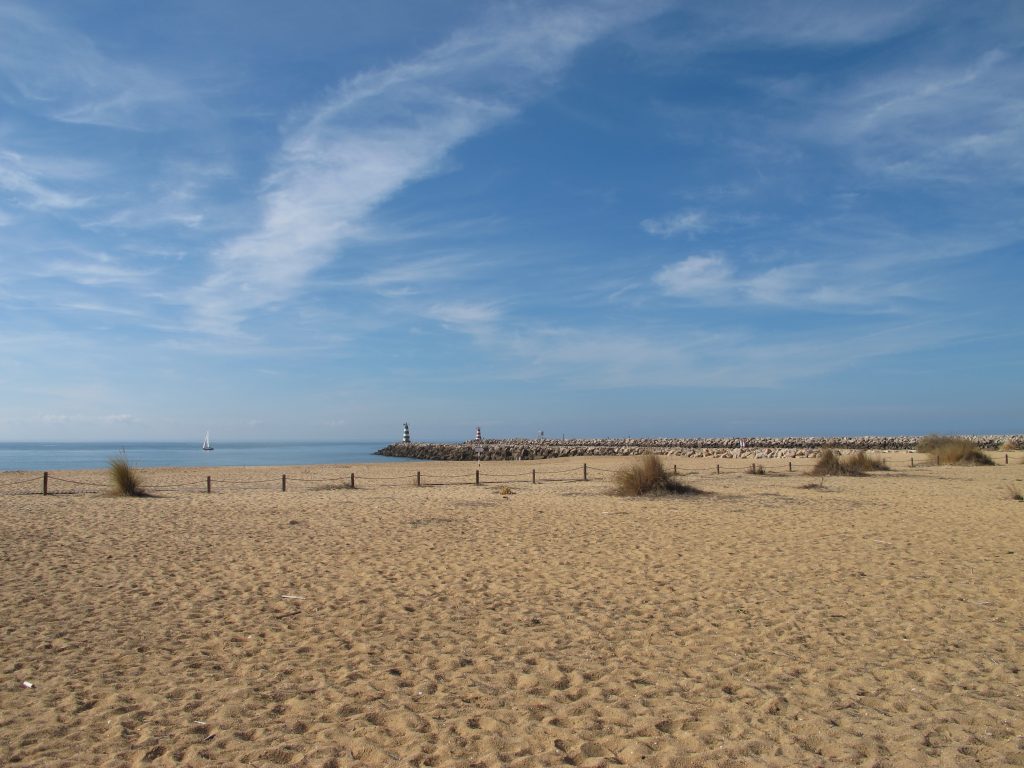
(873,622)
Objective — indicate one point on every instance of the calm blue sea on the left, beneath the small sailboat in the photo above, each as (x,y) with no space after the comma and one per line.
(53,456)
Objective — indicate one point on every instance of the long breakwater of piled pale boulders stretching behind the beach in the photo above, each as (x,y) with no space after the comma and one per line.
(720,448)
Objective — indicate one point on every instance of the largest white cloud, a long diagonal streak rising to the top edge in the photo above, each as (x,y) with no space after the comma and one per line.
(381,132)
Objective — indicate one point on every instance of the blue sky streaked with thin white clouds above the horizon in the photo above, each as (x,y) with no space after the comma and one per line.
(322,220)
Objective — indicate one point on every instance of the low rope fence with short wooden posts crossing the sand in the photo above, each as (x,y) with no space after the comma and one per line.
(51,485)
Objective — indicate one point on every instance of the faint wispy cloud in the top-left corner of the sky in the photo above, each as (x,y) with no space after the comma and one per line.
(61,73)
